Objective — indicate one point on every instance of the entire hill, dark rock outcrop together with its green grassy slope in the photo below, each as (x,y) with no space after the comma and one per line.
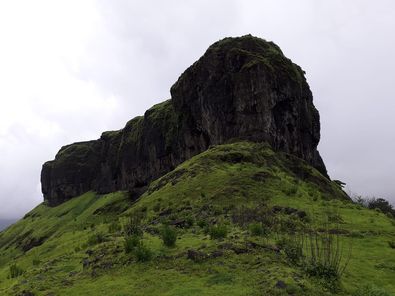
(218,191)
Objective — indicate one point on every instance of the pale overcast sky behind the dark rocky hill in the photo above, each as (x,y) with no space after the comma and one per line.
(72,69)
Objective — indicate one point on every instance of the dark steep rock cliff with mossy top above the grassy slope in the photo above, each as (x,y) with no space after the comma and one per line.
(241,88)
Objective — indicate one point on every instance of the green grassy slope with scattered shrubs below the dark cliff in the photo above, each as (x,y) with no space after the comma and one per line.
(245,220)
